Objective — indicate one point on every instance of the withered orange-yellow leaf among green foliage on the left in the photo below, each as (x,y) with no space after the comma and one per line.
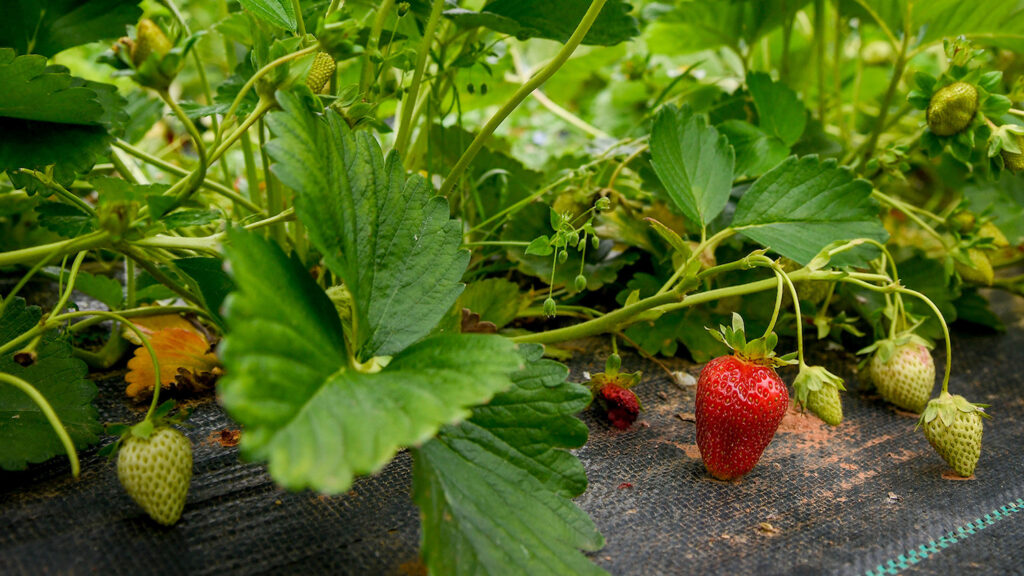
(185,362)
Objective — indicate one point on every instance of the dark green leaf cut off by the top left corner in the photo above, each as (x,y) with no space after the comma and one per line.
(48,27)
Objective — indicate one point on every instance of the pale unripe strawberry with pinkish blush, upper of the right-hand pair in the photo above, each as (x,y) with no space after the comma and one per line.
(905,375)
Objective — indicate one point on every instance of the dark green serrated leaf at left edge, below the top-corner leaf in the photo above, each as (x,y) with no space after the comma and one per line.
(51,118)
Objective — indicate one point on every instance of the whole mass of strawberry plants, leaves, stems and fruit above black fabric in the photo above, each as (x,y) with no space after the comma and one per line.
(373,227)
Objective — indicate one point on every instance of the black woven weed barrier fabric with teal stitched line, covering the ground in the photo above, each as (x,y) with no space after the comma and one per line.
(869,498)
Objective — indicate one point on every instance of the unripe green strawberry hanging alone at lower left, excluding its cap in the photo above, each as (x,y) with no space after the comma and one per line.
(156,473)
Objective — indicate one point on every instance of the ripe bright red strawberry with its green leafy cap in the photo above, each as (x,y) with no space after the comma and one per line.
(741,402)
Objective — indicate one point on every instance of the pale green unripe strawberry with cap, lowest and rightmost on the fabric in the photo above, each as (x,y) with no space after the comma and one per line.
(953,426)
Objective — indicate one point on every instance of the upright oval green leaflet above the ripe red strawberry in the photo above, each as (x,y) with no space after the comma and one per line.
(694,162)
